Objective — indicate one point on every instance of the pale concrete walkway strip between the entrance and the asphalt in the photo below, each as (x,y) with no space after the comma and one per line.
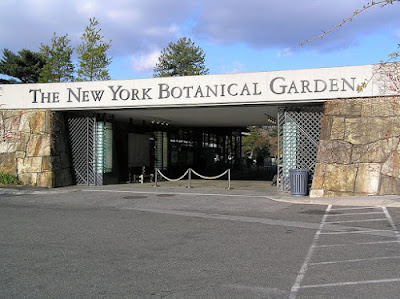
(220,187)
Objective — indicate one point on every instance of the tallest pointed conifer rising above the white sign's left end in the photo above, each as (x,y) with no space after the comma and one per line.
(93,59)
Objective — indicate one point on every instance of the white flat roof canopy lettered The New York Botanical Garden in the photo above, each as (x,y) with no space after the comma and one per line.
(232,100)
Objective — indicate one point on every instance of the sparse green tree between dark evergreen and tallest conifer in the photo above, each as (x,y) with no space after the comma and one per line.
(59,67)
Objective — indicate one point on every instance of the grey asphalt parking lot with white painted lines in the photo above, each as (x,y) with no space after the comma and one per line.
(124,242)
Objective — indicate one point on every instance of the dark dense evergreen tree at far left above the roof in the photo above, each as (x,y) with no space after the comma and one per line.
(25,66)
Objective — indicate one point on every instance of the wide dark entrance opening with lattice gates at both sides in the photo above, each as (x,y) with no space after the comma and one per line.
(111,147)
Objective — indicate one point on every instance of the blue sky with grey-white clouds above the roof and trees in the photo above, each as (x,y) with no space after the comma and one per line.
(237,36)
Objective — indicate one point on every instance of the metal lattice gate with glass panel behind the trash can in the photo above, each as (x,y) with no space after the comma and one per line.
(298,136)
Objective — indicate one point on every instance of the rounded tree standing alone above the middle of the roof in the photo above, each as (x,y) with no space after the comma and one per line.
(182,58)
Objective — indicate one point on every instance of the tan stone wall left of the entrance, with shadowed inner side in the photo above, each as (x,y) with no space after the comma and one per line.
(33,147)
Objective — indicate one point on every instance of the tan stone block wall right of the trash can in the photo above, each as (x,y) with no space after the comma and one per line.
(359,149)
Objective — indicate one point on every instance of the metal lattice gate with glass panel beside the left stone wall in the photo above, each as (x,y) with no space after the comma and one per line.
(86,145)
